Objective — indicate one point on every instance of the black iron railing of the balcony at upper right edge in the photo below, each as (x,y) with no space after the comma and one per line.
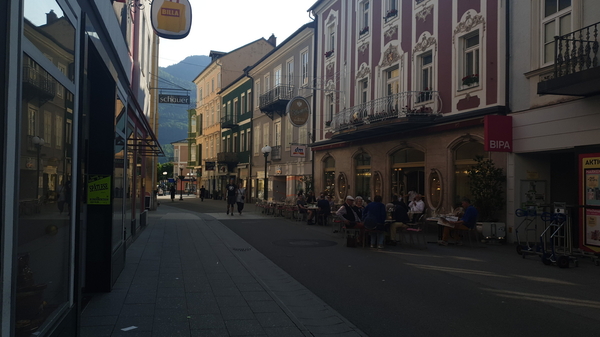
(576,51)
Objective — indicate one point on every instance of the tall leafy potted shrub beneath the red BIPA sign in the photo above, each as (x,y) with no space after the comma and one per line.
(486,183)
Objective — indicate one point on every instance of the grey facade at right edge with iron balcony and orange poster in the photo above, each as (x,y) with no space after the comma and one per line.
(554,98)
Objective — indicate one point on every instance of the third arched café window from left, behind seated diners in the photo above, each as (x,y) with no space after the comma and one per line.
(408,174)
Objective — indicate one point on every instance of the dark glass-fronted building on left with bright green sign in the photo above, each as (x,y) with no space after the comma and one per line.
(79,154)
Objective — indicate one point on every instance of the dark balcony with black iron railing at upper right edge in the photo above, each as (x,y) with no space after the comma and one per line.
(576,70)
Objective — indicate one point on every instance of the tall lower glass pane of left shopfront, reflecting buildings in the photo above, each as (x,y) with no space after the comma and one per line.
(44,199)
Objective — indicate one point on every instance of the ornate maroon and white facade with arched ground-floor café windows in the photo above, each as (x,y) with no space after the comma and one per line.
(404,87)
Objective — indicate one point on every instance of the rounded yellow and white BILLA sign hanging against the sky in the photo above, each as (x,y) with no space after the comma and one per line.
(171,19)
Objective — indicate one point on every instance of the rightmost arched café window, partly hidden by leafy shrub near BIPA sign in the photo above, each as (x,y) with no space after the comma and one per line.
(464,158)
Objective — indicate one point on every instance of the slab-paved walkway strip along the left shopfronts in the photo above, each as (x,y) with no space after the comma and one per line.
(189,275)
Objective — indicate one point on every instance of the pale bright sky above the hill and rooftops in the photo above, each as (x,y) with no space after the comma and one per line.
(225,25)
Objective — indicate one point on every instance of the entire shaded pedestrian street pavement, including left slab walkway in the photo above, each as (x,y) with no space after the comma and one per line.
(196,271)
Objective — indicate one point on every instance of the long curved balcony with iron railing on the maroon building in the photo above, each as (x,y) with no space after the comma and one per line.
(389,114)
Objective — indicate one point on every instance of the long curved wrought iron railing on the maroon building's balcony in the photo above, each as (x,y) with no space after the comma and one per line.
(417,105)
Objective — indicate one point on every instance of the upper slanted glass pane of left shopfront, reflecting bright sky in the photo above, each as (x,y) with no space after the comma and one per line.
(47,27)
